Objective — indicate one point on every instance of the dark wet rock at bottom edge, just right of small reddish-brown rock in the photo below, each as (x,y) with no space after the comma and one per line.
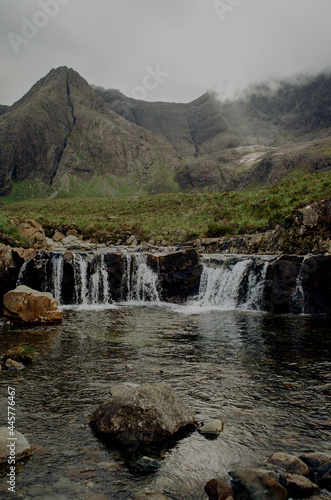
(256,485)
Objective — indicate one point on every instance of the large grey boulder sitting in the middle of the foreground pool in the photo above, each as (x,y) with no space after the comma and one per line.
(143,414)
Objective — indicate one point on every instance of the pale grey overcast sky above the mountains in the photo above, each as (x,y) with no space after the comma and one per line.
(171,50)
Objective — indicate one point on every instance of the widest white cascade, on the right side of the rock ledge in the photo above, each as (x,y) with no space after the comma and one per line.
(232,283)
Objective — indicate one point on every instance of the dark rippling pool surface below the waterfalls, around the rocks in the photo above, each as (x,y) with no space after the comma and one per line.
(262,375)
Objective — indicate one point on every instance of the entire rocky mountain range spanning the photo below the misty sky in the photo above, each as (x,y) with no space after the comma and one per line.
(65,137)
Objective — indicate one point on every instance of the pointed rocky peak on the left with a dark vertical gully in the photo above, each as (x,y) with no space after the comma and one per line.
(63,134)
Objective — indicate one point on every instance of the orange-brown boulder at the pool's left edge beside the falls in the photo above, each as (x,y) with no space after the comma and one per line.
(25,305)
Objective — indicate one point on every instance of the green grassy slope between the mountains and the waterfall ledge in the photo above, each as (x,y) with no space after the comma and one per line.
(176,216)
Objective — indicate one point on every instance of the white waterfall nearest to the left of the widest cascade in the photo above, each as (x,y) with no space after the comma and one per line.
(140,281)
